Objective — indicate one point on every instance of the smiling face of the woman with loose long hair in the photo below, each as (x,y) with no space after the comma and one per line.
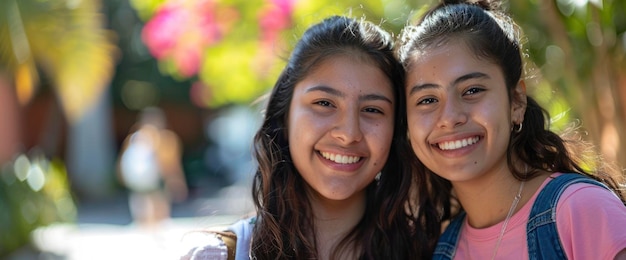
(340,126)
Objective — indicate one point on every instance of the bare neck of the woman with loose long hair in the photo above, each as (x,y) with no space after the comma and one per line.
(334,220)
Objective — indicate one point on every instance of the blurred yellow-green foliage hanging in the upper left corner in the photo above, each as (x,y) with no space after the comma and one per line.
(63,39)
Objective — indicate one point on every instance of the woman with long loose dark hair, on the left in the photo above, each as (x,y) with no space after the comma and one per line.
(332,182)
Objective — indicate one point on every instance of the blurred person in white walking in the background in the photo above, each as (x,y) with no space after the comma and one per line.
(150,167)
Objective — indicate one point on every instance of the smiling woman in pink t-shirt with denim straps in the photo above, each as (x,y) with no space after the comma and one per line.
(524,193)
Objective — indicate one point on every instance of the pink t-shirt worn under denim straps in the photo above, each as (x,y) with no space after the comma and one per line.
(591,224)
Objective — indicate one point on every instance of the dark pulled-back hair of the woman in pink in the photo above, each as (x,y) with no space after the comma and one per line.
(493,36)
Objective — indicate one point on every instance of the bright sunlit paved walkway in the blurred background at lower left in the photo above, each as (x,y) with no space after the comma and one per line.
(106,231)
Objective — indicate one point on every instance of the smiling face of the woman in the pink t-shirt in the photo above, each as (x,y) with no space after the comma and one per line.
(459,114)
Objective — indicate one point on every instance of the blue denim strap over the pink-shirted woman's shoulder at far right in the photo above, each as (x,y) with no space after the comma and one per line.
(541,231)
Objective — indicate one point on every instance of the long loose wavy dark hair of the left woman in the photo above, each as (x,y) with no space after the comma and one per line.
(285,228)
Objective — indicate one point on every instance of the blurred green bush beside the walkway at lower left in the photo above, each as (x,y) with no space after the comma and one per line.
(34,192)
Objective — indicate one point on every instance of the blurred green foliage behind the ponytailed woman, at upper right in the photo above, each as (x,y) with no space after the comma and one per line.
(579,50)
